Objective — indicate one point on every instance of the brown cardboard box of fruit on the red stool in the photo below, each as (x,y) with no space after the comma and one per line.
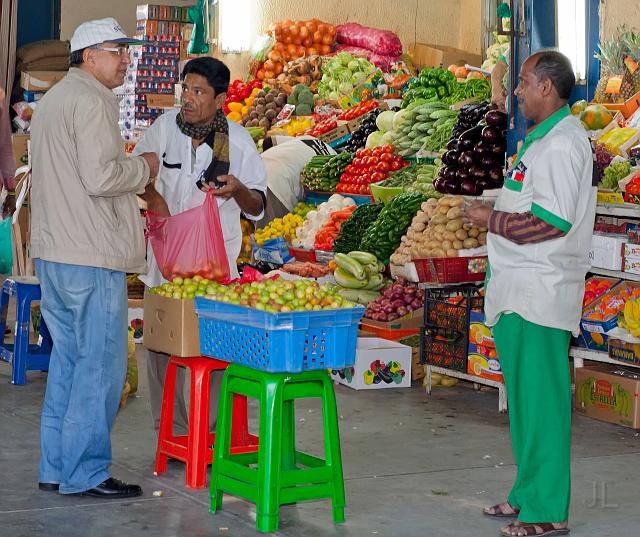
(171,326)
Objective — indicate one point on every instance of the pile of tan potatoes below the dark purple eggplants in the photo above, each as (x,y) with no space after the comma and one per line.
(438,231)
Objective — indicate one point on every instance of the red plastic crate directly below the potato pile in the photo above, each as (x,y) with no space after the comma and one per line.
(451,269)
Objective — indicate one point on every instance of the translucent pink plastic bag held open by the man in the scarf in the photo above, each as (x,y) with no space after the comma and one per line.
(190,243)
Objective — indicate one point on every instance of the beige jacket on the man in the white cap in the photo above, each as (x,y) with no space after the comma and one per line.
(84,208)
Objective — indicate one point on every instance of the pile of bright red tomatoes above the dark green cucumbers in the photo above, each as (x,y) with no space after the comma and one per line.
(369,166)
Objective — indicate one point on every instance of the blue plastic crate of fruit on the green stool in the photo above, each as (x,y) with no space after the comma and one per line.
(278,342)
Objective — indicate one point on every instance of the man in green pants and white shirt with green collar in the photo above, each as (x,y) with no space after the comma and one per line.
(539,238)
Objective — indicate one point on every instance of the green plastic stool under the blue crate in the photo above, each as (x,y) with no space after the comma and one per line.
(277,474)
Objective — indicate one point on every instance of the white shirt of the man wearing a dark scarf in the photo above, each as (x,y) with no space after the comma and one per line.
(176,181)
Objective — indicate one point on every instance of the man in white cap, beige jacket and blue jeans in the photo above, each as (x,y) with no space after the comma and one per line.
(86,234)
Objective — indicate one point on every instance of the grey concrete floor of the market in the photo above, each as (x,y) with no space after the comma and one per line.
(414,466)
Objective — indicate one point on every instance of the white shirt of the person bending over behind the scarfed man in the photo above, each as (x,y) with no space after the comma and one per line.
(284,163)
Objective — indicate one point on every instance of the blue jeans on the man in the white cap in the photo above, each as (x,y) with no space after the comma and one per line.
(85,309)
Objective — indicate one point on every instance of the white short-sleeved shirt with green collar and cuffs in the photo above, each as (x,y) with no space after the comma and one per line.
(544,282)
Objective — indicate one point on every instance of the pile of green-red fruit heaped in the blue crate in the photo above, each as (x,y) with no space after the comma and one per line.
(275,296)
